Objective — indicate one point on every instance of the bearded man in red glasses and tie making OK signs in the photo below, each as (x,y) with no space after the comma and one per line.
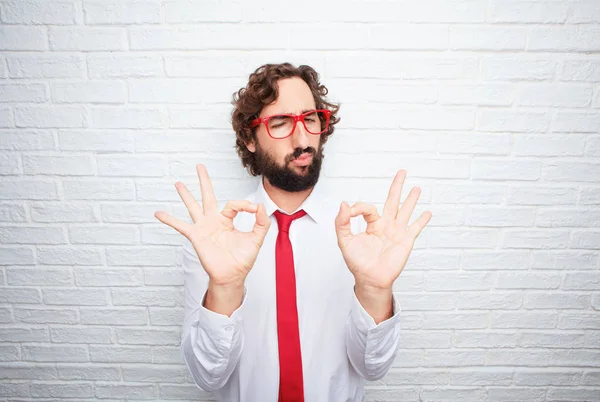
(284,302)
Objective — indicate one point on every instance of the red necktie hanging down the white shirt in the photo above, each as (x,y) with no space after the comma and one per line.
(291,387)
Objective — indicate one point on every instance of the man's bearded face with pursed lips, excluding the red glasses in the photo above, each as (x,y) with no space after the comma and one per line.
(293,163)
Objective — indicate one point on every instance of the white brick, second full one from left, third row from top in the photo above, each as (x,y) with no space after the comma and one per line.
(123,64)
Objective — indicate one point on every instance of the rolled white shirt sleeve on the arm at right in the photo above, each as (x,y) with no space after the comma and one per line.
(372,347)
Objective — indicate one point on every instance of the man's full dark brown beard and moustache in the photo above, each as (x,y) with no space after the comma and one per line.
(284,177)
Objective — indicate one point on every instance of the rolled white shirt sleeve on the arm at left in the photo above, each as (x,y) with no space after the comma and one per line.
(211,343)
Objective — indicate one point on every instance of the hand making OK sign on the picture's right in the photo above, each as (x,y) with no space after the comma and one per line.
(377,256)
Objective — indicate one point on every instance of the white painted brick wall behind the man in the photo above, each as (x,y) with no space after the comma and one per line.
(493,107)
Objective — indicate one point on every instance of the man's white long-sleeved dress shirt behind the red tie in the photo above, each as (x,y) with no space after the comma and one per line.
(237,356)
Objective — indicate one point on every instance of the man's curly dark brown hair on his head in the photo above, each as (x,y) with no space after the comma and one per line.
(260,91)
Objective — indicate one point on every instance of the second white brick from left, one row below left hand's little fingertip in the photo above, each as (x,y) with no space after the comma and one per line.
(103,234)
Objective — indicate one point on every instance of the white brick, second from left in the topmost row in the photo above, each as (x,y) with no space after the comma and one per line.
(117,12)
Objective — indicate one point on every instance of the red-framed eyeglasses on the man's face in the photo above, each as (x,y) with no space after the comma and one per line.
(281,126)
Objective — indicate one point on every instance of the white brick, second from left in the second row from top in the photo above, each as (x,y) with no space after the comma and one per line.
(87,38)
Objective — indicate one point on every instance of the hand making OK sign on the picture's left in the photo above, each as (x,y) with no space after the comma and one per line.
(226,254)
